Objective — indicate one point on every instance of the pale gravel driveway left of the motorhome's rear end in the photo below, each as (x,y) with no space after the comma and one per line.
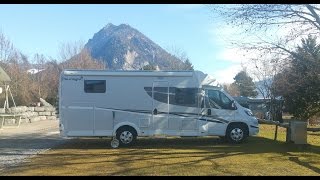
(19,143)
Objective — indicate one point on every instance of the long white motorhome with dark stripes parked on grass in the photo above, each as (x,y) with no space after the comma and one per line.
(128,104)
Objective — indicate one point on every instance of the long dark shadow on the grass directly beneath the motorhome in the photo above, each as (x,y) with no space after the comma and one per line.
(251,145)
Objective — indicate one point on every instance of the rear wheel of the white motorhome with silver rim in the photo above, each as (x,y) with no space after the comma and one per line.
(126,136)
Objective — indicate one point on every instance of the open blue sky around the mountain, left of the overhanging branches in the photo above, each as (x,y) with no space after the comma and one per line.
(190,28)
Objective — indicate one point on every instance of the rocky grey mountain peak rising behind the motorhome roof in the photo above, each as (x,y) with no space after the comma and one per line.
(123,47)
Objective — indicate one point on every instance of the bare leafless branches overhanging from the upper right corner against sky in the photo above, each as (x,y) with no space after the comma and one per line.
(273,28)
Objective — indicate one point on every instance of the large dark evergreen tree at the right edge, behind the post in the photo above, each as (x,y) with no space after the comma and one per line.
(299,84)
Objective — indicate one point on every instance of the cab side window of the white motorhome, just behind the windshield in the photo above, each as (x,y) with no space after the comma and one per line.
(218,100)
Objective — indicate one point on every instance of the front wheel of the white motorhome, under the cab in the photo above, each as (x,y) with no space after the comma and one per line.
(236,133)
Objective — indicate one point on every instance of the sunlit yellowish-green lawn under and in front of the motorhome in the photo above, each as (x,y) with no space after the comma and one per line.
(259,155)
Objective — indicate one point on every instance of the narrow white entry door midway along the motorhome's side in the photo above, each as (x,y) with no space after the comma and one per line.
(160,95)
